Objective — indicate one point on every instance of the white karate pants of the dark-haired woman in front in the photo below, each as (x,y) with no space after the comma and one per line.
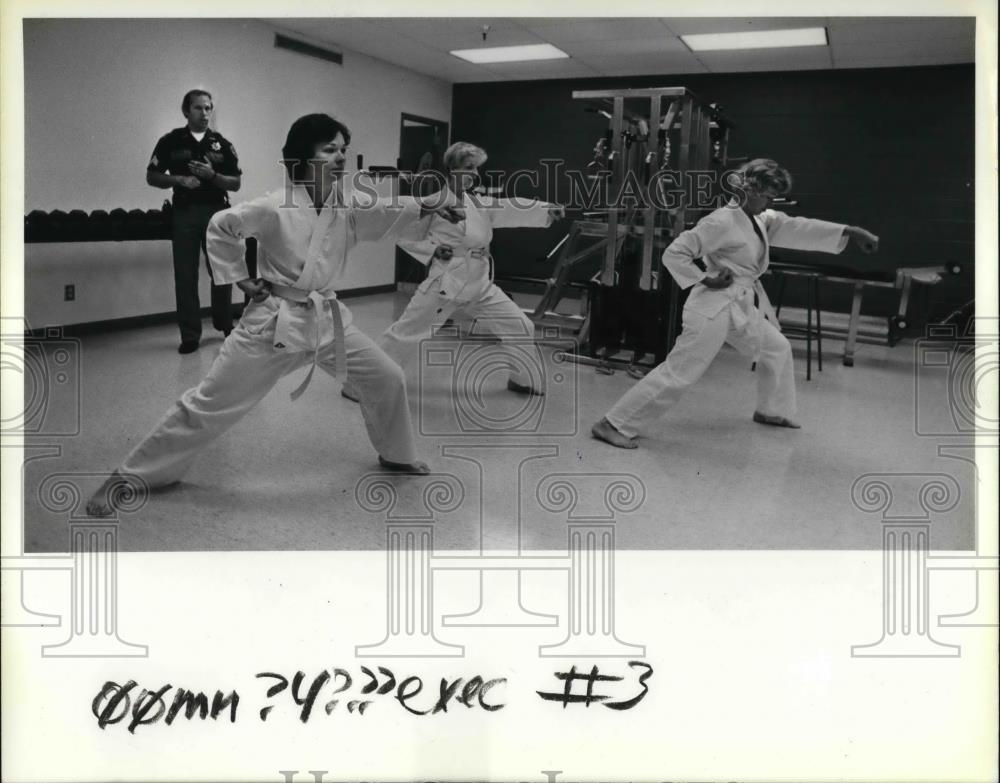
(246,369)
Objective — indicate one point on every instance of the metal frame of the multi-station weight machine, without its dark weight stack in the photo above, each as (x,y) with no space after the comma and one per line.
(644,126)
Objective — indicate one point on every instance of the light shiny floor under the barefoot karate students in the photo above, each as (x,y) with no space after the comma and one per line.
(286,476)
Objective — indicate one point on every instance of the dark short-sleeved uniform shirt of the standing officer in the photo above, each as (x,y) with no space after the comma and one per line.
(174,151)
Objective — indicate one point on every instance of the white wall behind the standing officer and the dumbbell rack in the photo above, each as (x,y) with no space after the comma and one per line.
(100,92)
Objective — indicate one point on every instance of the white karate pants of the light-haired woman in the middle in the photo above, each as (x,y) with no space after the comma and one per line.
(493,313)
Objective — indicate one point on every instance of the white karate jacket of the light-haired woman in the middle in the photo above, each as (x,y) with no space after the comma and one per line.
(469,273)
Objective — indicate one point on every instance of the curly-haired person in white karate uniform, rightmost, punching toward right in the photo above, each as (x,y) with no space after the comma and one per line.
(733,243)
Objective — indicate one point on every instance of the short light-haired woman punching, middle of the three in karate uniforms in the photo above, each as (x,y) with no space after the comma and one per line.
(460,279)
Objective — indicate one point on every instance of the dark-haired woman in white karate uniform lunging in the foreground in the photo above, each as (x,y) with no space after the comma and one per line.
(294,320)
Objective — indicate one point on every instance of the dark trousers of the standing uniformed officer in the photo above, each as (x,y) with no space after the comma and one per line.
(189,224)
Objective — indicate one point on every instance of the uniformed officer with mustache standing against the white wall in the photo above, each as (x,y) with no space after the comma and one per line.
(201,166)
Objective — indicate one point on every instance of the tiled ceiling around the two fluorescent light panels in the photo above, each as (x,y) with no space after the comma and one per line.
(637,46)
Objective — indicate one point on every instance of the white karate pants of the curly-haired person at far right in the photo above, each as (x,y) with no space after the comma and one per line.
(699,343)
